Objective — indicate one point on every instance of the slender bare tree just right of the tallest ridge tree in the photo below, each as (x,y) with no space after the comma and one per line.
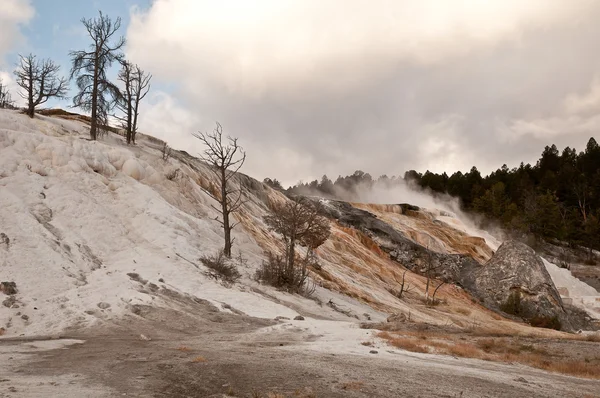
(137,85)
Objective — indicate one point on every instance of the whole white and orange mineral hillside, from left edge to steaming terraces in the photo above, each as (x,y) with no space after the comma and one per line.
(100,236)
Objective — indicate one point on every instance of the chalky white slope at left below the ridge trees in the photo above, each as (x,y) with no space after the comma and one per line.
(81,215)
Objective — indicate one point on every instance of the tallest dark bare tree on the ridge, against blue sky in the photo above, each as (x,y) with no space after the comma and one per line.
(97,94)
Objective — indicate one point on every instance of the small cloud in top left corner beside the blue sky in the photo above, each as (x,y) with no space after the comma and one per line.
(13,13)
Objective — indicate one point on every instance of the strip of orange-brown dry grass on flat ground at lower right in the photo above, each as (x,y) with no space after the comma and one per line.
(499,349)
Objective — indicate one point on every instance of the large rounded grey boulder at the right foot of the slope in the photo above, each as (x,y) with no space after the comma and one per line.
(516,281)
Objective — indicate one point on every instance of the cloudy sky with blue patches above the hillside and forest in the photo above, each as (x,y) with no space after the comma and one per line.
(313,87)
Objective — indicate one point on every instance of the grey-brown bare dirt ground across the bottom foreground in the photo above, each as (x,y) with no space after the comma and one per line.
(209,355)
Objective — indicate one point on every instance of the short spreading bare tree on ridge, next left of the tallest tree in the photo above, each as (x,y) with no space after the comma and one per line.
(40,81)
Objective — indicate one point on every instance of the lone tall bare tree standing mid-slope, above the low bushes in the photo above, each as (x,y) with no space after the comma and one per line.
(226,159)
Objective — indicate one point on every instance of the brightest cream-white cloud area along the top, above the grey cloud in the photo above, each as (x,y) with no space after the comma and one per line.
(279,46)
